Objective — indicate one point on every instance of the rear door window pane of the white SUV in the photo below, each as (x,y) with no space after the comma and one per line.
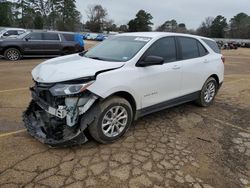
(189,48)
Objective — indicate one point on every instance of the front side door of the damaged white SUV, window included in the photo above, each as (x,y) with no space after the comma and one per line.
(160,83)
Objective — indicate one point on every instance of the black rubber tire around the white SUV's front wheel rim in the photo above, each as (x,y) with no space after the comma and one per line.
(95,128)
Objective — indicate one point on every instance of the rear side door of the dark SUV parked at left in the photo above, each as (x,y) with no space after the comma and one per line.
(52,43)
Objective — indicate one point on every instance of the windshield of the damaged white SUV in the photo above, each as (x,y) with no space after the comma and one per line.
(120,48)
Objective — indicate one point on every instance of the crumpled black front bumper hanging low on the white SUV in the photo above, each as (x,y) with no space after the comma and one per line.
(35,127)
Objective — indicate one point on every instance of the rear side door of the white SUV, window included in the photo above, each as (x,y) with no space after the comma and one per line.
(195,64)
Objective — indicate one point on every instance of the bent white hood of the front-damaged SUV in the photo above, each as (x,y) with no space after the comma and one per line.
(69,68)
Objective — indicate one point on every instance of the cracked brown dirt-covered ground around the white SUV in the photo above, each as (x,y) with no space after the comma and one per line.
(185,146)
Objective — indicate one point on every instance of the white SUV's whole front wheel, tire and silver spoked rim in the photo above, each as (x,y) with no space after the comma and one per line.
(113,121)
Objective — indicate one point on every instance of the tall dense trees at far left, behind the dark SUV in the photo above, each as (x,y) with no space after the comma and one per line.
(40,14)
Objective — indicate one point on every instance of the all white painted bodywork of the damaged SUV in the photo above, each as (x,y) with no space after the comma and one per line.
(148,85)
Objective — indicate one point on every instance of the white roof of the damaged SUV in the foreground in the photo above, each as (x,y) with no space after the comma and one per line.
(161,34)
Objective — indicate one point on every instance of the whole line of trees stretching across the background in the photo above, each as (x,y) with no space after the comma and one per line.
(63,15)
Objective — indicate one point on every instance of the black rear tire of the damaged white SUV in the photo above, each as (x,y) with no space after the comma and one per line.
(201,101)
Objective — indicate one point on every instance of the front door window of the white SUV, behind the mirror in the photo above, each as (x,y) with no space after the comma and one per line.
(164,48)
